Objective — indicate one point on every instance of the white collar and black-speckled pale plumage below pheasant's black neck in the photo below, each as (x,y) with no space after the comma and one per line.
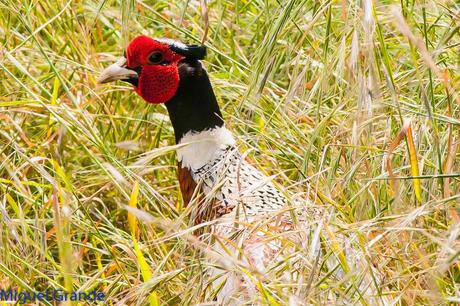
(226,177)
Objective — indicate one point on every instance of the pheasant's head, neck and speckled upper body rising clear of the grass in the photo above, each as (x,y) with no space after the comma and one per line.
(170,72)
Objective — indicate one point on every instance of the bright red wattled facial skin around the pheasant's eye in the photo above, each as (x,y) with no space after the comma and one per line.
(158,82)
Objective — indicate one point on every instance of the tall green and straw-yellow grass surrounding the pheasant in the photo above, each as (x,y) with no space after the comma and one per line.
(355,106)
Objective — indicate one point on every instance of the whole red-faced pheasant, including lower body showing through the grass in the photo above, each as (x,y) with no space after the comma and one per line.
(213,175)
